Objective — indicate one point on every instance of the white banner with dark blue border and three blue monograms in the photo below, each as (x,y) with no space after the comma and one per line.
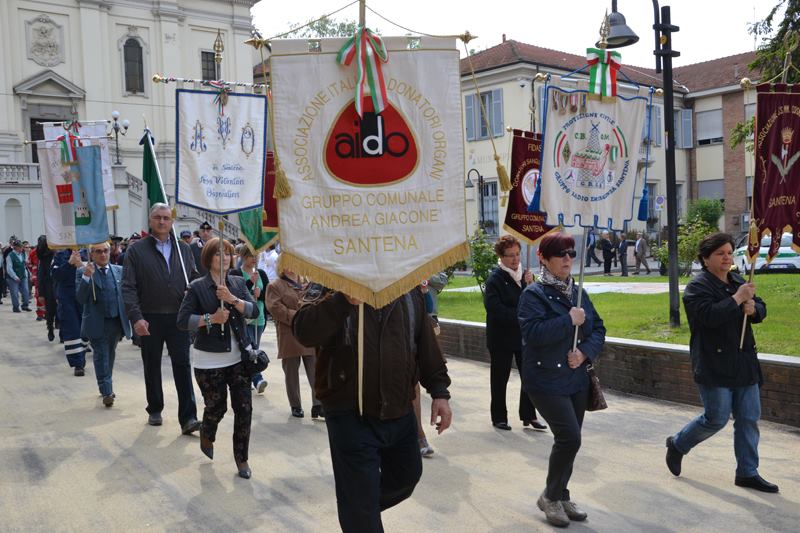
(222,143)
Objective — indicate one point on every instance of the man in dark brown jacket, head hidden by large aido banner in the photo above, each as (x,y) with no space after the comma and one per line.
(376,458)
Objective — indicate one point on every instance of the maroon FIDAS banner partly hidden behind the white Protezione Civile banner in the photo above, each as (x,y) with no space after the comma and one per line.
(526,150)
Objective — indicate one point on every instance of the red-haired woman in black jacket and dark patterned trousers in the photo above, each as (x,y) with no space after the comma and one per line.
(216,354)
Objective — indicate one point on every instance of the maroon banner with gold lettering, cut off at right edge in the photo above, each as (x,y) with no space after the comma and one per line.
(776,186)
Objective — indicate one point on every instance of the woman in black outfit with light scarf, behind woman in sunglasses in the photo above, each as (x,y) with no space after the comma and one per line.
(500,298)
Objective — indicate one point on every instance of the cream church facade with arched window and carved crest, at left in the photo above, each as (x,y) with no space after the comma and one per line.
(66,59)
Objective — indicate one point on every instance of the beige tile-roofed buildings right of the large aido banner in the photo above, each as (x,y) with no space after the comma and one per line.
(707,103)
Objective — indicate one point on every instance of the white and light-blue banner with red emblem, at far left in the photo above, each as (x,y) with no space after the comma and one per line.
(74,203)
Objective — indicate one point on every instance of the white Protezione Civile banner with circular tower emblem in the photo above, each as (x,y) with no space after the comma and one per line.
(590,158)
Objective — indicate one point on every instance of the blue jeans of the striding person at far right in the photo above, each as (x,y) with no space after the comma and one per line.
(719,403)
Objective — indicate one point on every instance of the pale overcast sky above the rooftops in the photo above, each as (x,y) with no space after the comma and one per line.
(708,28)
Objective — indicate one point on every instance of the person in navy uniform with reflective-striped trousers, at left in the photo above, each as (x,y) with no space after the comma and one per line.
(69,311)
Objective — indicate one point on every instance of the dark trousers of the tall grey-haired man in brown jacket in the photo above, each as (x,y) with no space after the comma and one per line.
(163,330)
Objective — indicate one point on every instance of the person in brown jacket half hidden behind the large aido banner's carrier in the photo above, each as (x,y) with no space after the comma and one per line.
(283,301)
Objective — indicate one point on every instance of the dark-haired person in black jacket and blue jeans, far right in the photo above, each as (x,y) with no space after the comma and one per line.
(729,378)
